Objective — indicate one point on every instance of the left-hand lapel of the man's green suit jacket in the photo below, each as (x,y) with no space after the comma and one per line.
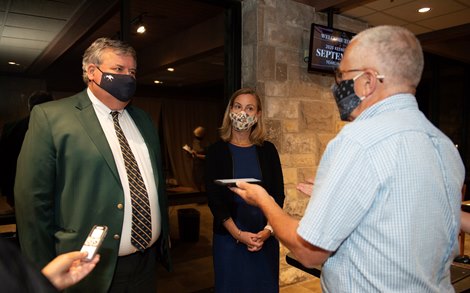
(87,117)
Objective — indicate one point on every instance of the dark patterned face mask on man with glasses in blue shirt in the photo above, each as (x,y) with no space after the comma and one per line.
(346,98)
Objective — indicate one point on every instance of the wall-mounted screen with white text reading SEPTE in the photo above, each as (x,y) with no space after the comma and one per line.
(326,47)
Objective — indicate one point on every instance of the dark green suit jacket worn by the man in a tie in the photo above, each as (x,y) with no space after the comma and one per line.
(67,181)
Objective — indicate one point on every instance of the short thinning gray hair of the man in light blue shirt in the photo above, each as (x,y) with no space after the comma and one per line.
(395,50)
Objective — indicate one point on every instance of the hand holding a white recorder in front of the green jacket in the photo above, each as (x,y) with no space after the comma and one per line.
(68,269)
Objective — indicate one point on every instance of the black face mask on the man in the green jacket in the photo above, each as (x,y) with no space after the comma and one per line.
(120,86)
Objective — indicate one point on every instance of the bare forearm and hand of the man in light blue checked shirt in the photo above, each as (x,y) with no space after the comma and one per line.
(284,226)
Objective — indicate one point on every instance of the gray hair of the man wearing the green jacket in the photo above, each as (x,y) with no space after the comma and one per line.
(94,53)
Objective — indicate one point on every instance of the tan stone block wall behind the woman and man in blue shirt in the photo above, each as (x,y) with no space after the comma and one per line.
(298,107)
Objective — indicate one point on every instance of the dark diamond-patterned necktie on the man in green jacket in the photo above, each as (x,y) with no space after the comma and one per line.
(141,233)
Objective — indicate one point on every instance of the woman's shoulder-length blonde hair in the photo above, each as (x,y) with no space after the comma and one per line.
(258,133)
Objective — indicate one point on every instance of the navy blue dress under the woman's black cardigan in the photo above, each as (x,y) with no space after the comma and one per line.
(237,269)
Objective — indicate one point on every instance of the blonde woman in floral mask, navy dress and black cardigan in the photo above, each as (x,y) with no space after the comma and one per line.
(246,255)
